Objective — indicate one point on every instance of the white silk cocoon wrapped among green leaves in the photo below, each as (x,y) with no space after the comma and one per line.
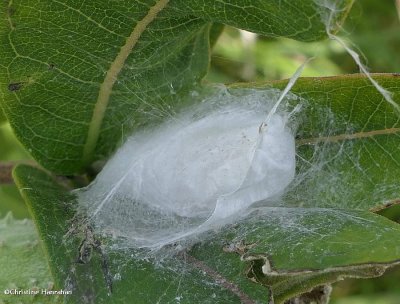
(203,168)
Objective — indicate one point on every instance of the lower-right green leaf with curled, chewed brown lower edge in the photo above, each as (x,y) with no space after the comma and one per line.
(295,250)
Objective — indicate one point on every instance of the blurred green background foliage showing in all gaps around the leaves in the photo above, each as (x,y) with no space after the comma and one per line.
(373,28)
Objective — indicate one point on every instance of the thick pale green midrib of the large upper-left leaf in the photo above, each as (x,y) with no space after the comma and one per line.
(111,77)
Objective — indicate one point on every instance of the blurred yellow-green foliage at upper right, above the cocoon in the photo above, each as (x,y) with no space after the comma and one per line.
(372,28)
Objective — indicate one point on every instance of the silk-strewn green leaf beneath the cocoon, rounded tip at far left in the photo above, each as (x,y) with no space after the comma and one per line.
(52,208)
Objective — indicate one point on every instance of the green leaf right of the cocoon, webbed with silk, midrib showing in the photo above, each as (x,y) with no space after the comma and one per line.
(347,142)
